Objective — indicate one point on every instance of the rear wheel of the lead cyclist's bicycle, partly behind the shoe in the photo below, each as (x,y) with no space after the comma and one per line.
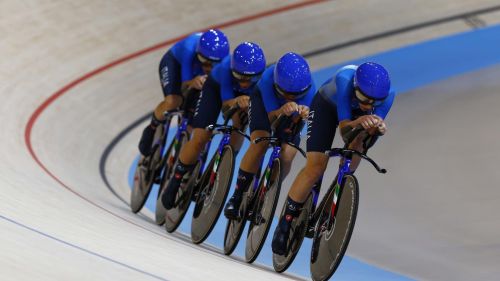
(298,231)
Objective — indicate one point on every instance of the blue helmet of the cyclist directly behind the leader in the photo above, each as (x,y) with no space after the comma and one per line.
(292,74)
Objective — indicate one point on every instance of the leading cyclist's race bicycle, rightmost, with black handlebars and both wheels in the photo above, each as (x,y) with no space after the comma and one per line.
(332,223)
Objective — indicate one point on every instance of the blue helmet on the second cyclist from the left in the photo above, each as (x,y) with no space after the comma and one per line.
(248,59)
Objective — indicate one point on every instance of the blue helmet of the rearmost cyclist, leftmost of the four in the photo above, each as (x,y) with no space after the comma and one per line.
(213,45)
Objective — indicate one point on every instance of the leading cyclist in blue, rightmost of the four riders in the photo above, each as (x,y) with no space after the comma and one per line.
(356,95)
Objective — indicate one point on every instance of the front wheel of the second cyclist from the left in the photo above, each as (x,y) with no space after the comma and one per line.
(212,196)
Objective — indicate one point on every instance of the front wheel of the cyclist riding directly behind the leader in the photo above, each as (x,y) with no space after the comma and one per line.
(263,211)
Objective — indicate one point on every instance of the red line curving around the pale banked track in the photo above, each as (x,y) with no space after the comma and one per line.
(36,114)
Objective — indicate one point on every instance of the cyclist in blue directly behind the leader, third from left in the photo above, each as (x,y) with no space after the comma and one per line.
(285,88)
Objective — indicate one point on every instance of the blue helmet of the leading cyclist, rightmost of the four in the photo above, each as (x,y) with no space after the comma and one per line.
(372,80)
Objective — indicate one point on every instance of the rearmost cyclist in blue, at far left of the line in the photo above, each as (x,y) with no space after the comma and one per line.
(184,67)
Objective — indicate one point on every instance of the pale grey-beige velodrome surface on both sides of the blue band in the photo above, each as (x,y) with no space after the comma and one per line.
(59,221)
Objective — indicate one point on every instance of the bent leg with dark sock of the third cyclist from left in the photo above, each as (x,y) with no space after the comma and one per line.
(259,127)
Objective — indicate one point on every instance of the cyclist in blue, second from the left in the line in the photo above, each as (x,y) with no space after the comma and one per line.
(229,83)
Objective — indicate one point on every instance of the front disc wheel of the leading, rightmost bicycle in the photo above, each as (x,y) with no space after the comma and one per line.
(332,233)
